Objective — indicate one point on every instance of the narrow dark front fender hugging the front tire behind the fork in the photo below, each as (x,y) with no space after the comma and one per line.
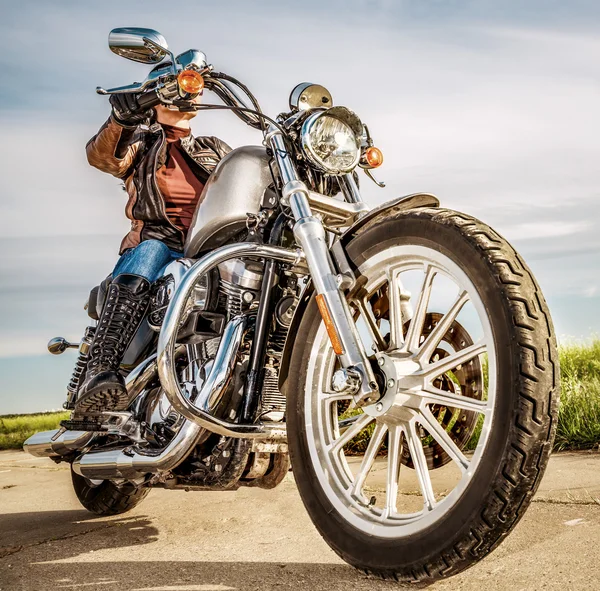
(388,208)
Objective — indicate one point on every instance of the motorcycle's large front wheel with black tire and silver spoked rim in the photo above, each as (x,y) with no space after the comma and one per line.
(428,480)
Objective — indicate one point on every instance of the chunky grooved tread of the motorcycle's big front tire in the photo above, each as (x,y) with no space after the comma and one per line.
(532,431)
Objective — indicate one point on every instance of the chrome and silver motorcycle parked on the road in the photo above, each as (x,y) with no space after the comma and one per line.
(401,359)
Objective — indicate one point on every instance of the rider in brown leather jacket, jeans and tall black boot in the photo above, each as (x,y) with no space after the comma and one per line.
(164,169)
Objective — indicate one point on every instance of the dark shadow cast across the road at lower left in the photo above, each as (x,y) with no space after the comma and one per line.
(33,547)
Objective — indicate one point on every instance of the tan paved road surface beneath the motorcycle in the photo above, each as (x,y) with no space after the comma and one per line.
(262,540)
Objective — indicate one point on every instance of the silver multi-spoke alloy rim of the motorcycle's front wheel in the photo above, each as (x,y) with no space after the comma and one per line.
(405,409)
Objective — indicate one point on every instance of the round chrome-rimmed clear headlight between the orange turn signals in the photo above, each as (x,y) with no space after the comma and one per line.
(330,143)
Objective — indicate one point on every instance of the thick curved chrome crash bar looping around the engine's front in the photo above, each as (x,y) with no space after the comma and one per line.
(168,336)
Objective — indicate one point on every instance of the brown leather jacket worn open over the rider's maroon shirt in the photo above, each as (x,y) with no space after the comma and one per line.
(134,154)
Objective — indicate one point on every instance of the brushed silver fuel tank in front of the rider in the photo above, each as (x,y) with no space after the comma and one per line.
(238,186)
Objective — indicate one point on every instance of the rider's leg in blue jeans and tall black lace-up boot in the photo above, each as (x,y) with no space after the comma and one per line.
(124,309)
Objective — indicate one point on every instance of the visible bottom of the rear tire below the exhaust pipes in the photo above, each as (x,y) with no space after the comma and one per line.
(105,497)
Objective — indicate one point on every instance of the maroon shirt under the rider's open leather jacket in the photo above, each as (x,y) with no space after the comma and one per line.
(177,182)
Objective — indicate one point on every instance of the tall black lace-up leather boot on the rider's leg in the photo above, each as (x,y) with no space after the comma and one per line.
(124,309)
